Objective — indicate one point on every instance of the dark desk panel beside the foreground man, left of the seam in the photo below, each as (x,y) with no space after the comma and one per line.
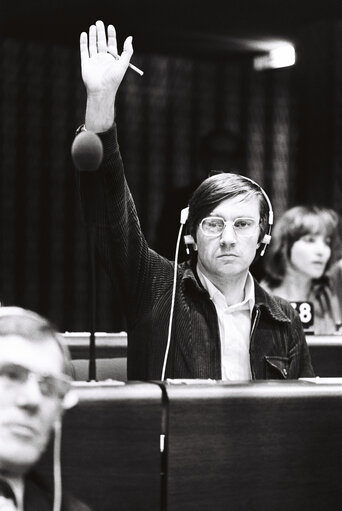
(111,447)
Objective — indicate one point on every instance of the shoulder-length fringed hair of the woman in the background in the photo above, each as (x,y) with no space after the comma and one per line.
(290,227)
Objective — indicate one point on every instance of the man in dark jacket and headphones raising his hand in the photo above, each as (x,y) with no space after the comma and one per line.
(207,317)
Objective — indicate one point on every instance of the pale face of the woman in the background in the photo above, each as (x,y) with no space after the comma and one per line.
(310,254)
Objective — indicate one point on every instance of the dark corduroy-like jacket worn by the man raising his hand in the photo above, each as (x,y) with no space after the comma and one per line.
(278,348)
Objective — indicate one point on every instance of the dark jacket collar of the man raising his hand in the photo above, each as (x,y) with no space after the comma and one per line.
(263,300)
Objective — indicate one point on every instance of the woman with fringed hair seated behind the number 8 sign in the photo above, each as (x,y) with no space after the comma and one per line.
(298,265)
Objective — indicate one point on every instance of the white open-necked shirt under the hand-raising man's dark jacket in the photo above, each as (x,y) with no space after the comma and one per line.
(234,325)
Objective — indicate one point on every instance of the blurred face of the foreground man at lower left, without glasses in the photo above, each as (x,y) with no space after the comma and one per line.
(26,414)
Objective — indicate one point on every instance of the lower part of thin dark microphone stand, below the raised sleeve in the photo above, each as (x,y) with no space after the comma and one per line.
(92,305)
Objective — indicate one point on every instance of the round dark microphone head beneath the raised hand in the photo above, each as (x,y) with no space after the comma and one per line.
(87,151)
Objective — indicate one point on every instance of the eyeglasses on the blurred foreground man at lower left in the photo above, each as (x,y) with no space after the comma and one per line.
(13,376)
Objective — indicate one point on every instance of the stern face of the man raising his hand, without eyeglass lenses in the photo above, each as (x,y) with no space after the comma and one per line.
(229,254)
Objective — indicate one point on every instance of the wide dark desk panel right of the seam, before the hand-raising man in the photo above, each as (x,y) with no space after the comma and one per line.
(255,447)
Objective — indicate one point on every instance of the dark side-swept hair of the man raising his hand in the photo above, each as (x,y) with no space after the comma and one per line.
(223,186)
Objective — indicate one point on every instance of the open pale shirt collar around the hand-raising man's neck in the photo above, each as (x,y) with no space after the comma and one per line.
(218,298)
